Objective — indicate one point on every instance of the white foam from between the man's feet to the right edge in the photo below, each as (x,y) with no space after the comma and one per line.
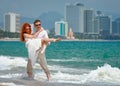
(105,73)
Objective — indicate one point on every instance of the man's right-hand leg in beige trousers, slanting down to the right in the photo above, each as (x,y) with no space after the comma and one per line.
(42,61)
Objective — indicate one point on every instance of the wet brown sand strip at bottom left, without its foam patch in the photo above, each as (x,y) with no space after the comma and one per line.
(23,82)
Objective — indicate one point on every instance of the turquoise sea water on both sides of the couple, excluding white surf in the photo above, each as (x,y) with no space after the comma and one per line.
(71,53)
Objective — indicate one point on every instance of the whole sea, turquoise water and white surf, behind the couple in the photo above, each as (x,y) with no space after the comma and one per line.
(75,62)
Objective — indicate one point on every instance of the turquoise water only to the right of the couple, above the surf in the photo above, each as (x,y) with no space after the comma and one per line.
(86,54)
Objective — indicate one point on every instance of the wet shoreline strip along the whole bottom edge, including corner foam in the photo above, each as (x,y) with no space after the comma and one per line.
(25,82)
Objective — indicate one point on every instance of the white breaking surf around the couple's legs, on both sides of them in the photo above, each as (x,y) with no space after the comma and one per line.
(105,73)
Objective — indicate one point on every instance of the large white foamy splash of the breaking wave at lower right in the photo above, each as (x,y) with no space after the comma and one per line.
(105,73)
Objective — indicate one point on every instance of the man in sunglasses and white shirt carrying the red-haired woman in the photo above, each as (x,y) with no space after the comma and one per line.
(41,57)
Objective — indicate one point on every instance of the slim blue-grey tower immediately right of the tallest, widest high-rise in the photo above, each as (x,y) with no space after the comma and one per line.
(89,21)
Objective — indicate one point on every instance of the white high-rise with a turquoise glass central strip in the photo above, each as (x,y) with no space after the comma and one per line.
(61,28)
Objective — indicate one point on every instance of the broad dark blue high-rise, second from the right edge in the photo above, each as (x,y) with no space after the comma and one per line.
(105,25)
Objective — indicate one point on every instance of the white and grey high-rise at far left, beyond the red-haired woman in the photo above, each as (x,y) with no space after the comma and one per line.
(12,22)
